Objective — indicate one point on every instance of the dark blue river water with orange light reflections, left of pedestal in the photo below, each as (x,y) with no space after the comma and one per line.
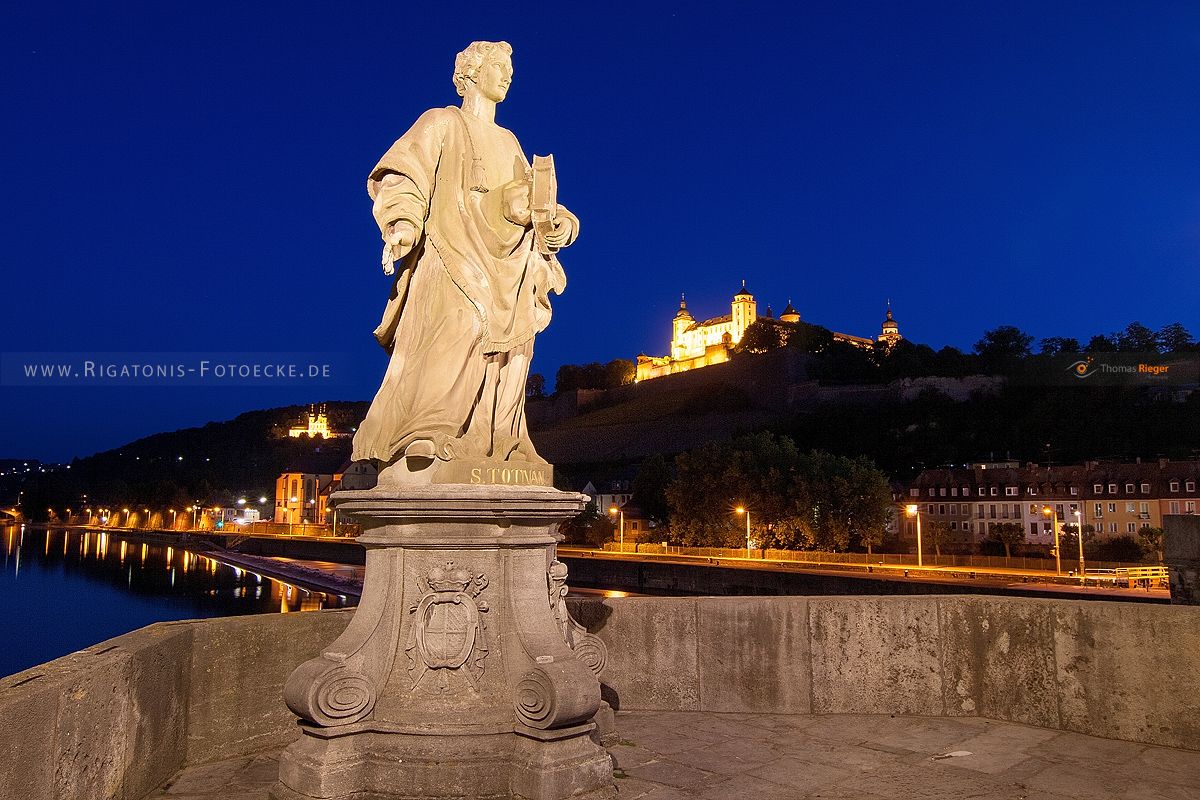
(69,590)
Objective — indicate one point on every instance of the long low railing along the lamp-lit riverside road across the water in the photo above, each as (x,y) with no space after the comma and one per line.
(863,560)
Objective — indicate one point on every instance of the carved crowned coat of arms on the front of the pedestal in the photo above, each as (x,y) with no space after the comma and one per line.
(448,633)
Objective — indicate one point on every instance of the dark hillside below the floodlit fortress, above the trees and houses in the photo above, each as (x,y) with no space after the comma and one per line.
(903,426)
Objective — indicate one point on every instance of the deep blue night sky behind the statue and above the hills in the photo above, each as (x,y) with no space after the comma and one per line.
(190,177)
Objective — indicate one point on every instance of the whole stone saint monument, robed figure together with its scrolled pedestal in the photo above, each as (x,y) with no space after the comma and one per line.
(461,673)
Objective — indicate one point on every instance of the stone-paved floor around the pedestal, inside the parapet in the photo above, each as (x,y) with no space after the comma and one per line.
(668,756)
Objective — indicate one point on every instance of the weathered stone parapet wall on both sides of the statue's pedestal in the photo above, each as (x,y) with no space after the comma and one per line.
(118,719)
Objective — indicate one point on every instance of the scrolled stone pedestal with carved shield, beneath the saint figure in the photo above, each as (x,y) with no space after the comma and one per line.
(461,675)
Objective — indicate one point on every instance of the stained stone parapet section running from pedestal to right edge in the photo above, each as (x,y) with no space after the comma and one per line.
(1120,671)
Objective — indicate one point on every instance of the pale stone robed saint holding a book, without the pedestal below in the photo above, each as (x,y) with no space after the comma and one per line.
(476,231)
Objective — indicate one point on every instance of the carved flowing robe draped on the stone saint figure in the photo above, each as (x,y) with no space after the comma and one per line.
(467,302)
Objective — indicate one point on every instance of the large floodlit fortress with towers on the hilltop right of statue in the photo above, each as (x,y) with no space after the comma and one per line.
(700,345)
